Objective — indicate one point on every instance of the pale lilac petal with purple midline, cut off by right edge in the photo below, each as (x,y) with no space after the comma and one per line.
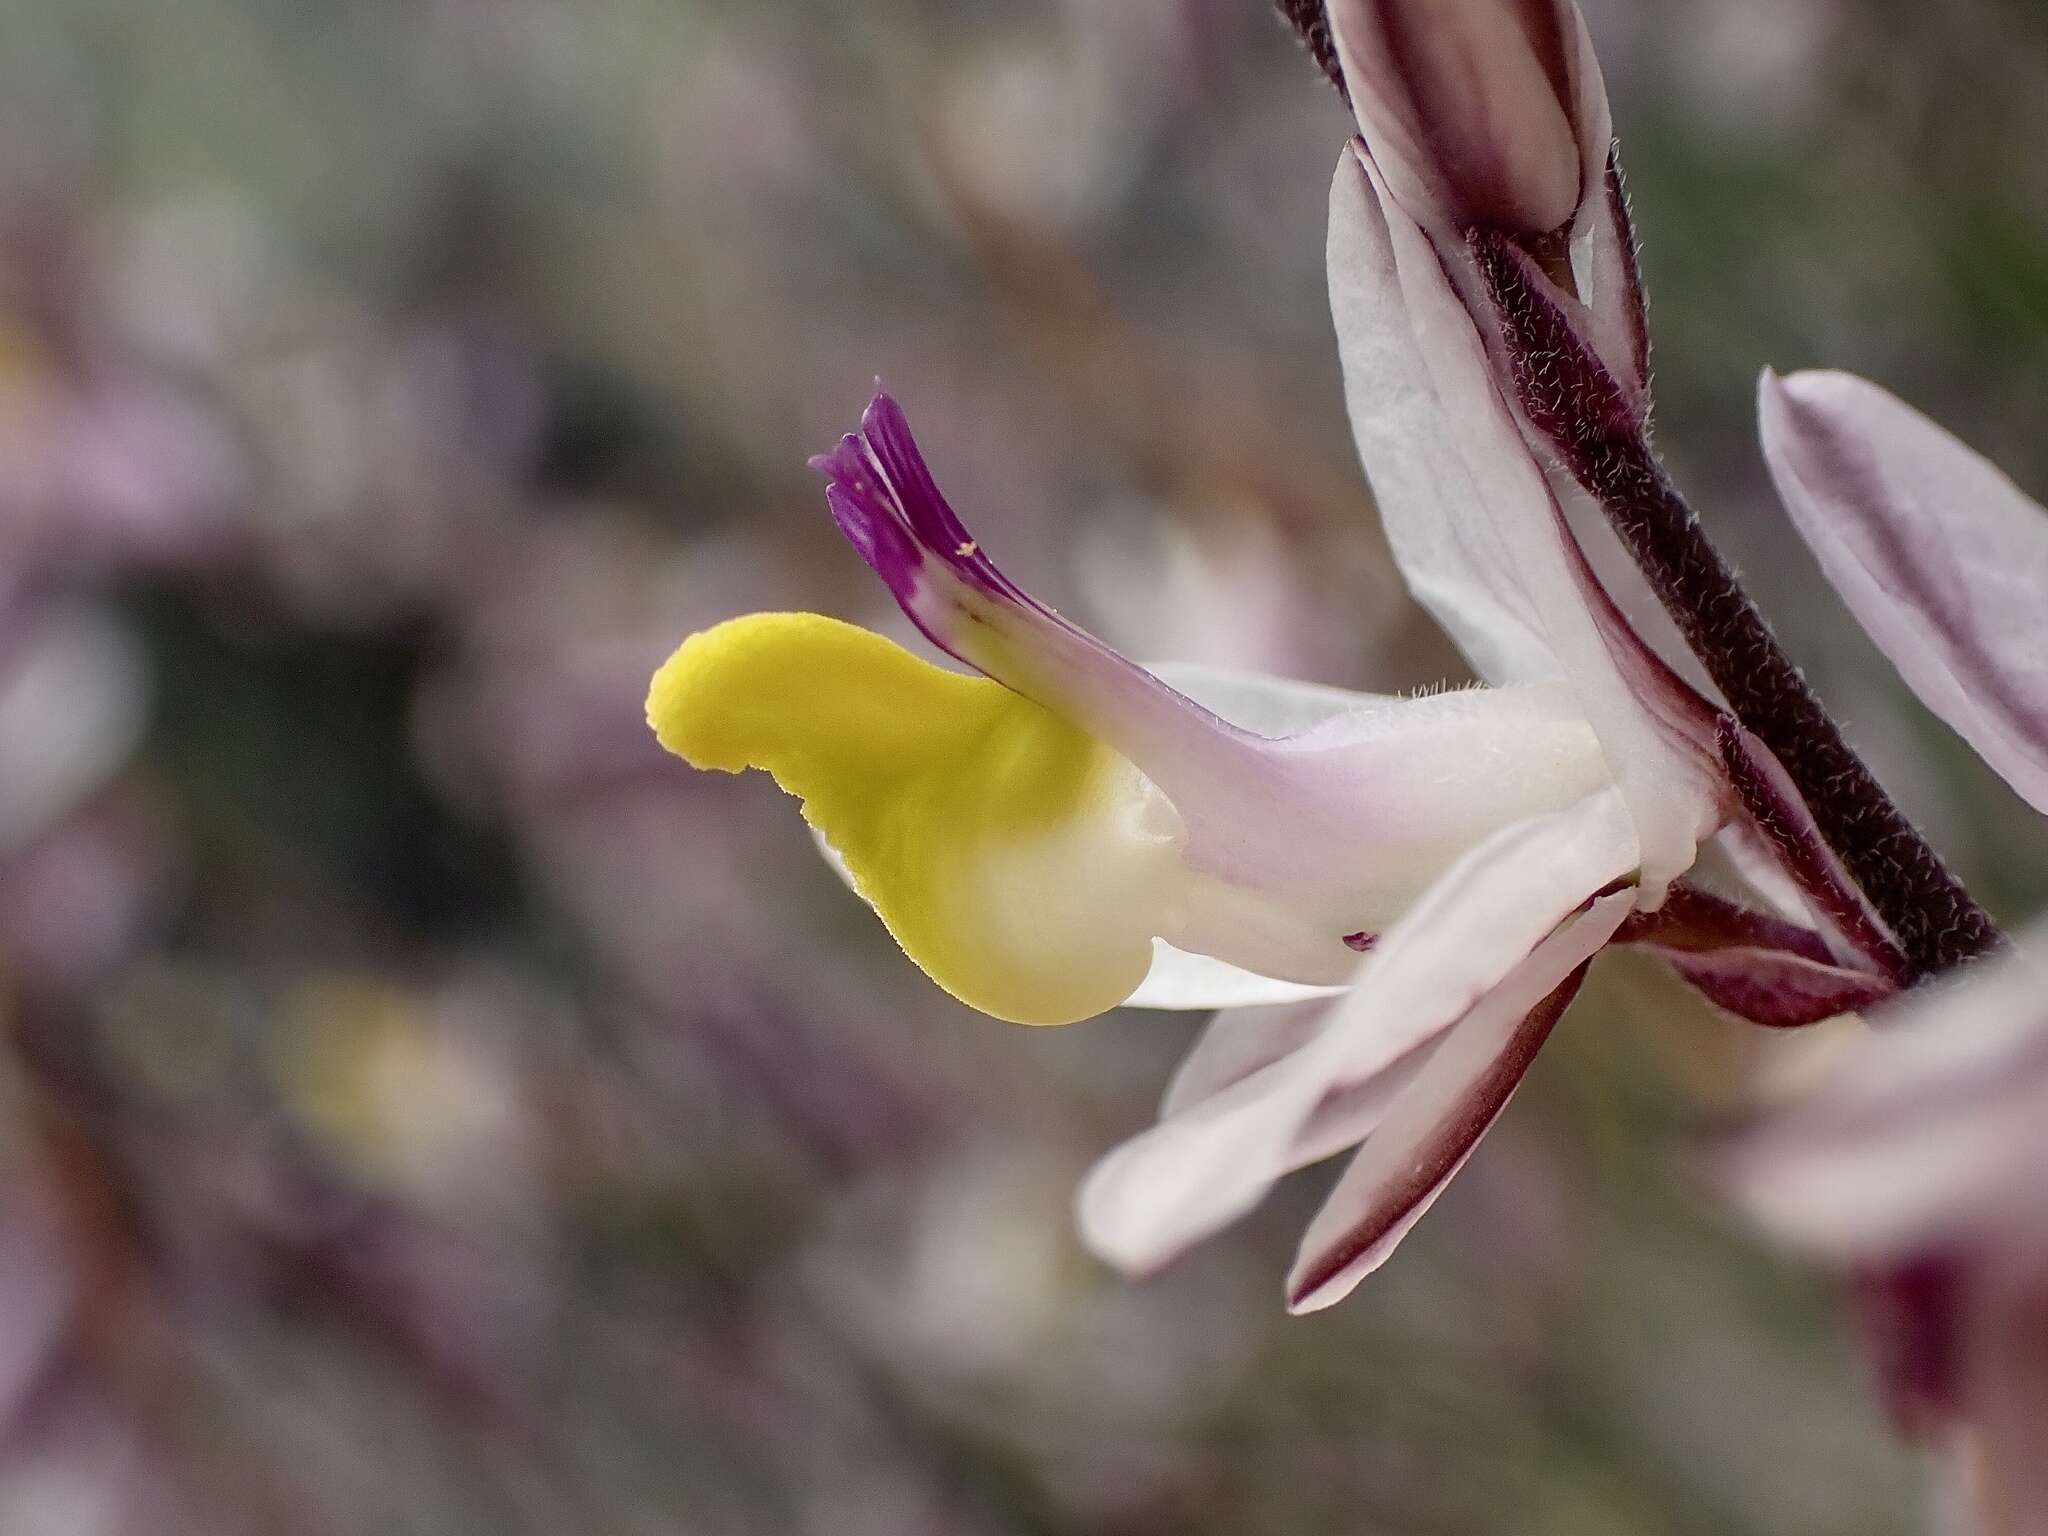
(1936,552)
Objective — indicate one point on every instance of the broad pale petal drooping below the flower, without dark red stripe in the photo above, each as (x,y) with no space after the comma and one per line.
(1215,1160)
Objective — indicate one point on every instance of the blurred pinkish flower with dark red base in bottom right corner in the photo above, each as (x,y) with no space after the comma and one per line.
(1918,1166)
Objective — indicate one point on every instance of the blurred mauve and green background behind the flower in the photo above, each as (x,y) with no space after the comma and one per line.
(429,1109)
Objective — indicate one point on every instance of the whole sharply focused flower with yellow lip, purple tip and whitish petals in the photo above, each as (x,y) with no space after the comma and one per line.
(1072,833)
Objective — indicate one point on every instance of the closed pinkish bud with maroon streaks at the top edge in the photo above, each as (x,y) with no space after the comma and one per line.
(1482,114)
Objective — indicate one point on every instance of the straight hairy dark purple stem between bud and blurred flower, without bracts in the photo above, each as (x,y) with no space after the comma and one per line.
(1601,437)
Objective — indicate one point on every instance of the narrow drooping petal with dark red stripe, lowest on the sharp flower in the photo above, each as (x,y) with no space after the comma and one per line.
(1416,1152)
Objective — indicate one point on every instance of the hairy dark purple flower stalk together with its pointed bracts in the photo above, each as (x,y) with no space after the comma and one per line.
(1588,402)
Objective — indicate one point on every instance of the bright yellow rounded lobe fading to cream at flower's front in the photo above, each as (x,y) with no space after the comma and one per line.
(1007,851)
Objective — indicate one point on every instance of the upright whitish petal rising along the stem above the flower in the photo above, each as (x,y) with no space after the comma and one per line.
(1476,527)
